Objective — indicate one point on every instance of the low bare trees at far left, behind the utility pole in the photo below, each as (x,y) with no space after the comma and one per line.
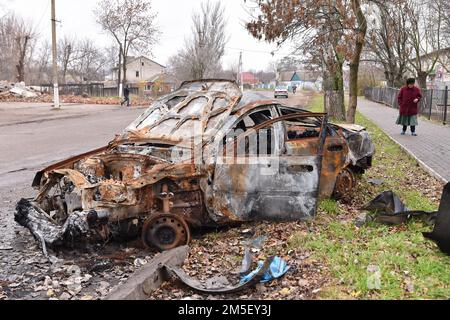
(26,56)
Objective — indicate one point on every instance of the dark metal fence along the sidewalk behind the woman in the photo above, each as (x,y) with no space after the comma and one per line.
(434,105)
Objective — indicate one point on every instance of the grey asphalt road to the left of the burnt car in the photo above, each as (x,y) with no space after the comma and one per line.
(32,136)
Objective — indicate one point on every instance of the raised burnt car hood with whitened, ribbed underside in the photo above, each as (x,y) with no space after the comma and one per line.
(194,112)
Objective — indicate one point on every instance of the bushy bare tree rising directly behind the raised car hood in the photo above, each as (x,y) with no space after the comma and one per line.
(203,52)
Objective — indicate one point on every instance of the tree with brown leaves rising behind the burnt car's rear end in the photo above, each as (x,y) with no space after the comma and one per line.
(327,32)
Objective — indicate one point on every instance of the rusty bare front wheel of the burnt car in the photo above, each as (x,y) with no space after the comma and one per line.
(166,232)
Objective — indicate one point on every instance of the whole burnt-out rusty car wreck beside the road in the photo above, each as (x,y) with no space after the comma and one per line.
(200,156)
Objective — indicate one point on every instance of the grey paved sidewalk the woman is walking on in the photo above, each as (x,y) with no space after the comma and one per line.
(431,148)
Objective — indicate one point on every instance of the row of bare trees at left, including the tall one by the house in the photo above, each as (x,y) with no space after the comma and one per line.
(25,55)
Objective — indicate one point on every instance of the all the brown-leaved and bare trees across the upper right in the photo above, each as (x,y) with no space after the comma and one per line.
(401,36)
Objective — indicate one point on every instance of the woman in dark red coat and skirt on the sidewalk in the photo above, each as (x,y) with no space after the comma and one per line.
(408,100)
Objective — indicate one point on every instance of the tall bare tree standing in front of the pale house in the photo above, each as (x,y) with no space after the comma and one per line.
(131,23)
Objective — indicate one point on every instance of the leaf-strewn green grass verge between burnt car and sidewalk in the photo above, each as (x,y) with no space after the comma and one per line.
(410,267)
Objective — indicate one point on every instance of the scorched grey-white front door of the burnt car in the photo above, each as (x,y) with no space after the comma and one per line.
(257,179)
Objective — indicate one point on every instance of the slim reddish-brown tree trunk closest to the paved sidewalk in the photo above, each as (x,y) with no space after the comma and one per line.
(354,64)
